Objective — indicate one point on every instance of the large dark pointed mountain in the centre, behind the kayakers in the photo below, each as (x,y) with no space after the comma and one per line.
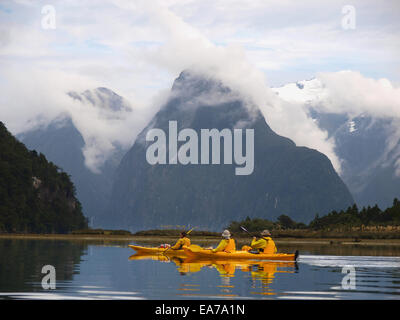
(286,179)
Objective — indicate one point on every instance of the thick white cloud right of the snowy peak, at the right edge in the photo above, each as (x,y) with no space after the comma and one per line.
(351,93)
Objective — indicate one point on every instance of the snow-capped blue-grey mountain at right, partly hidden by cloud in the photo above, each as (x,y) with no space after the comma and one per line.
(367,144)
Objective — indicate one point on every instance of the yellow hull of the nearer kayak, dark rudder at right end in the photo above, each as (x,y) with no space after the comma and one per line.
(195,253)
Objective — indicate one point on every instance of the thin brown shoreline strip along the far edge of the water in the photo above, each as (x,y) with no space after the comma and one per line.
(202,239)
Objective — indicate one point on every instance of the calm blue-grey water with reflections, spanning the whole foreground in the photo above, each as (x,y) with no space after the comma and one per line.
(87,270)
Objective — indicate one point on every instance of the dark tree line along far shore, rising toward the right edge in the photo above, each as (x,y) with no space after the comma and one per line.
(352,223)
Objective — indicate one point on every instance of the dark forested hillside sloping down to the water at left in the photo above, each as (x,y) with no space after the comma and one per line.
(35,195)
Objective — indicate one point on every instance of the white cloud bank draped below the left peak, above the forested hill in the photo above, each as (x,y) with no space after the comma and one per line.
(41,97)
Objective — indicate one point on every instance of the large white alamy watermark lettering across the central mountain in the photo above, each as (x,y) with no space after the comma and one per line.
(189,153)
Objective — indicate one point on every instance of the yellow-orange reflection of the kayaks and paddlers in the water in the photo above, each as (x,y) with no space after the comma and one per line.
(260,273)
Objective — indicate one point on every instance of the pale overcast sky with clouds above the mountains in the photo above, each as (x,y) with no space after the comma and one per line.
(137,49)
